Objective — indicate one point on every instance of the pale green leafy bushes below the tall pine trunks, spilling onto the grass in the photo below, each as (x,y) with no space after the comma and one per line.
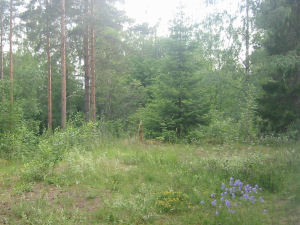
(52,149)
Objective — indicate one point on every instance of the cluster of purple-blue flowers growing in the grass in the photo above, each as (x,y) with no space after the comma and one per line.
(229,194)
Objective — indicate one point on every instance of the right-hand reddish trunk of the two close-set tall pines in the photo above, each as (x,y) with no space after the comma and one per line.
(93,74)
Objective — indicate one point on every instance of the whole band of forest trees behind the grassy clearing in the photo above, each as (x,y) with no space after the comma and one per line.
(213,81)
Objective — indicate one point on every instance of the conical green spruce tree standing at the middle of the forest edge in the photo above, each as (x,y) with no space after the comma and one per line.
(178,104)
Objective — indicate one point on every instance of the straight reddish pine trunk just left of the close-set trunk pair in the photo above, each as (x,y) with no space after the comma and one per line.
(63,66)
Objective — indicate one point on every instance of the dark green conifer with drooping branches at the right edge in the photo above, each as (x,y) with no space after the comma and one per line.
(279,104)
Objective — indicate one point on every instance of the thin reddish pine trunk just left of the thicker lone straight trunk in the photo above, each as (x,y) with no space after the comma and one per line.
(49,72)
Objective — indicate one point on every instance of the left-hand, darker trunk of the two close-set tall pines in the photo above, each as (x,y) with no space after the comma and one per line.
(86,61)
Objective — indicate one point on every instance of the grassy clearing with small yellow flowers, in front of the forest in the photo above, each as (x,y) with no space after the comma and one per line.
(123,182)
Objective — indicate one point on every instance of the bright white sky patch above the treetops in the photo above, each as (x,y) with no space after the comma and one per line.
(154,11)
